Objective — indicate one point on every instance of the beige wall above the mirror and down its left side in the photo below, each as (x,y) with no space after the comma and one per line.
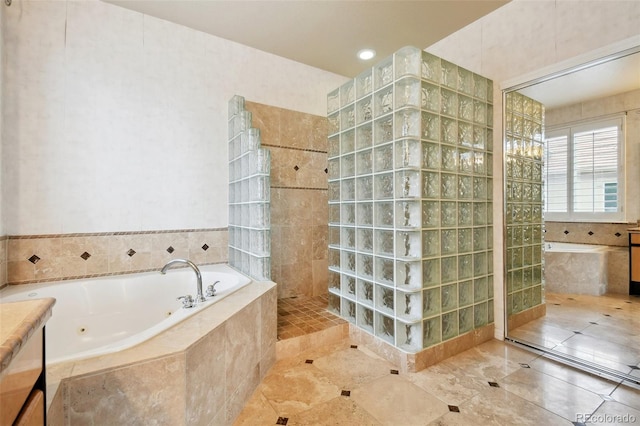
(522,38)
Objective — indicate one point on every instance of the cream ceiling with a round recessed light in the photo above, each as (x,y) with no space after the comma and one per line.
(325,34)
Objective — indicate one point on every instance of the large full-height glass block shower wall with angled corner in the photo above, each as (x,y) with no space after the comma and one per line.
(410,222)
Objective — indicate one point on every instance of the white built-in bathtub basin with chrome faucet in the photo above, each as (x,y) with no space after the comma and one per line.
(105,315)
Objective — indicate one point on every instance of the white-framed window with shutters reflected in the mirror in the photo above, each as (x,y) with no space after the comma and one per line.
(584,176)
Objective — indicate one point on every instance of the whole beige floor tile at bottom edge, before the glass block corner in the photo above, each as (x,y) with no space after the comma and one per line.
(393,400)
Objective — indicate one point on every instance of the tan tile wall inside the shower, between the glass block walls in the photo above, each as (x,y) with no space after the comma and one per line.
(299,206)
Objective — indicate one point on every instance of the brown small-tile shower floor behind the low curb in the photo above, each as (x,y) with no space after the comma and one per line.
(304,315)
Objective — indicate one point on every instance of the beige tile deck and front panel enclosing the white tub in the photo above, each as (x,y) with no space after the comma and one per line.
(217,358)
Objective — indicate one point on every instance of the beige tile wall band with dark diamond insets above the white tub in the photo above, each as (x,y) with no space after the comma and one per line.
(39,258)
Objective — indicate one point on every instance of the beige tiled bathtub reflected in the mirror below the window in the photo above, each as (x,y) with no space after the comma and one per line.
(576,268)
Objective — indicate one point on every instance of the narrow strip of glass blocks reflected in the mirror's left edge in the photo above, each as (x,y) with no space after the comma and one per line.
(524,124)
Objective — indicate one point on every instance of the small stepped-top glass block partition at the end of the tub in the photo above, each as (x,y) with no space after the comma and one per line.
(249,193)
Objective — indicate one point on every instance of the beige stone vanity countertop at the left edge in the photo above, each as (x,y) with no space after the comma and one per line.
(18,321)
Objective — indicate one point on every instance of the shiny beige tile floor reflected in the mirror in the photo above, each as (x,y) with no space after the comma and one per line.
(604,330)
